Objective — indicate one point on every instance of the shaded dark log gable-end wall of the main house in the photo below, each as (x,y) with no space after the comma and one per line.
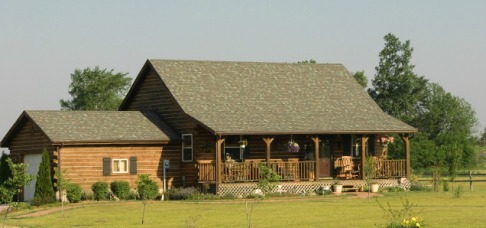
(151,94)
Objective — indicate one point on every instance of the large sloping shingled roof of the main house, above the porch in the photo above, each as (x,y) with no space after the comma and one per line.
(278,98)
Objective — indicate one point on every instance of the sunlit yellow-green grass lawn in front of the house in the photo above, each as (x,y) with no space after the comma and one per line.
(439,209)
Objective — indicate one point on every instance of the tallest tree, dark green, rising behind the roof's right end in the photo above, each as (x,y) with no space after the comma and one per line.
(396,88)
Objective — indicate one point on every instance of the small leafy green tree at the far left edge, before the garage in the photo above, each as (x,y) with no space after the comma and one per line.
(14,184)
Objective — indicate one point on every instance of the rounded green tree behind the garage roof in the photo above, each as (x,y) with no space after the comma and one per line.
(95,89)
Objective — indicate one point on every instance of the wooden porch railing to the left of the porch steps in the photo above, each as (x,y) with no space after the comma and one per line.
(250,171)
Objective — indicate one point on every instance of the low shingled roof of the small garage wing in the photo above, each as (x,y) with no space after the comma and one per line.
(99,126)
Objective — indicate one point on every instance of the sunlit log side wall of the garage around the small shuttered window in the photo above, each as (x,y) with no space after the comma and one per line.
(84,164)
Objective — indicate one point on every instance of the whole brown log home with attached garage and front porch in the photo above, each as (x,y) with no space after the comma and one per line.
(217,121)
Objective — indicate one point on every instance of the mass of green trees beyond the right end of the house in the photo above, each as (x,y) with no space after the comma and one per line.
(445,122)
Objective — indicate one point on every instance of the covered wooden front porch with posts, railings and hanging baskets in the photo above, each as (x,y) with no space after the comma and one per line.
(326,157)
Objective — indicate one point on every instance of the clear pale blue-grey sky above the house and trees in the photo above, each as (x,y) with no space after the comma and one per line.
(42,42)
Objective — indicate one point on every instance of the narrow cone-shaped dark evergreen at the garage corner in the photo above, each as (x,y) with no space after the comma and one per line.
(44,189)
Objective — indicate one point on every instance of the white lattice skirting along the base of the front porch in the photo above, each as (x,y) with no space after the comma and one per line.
(244,189)
